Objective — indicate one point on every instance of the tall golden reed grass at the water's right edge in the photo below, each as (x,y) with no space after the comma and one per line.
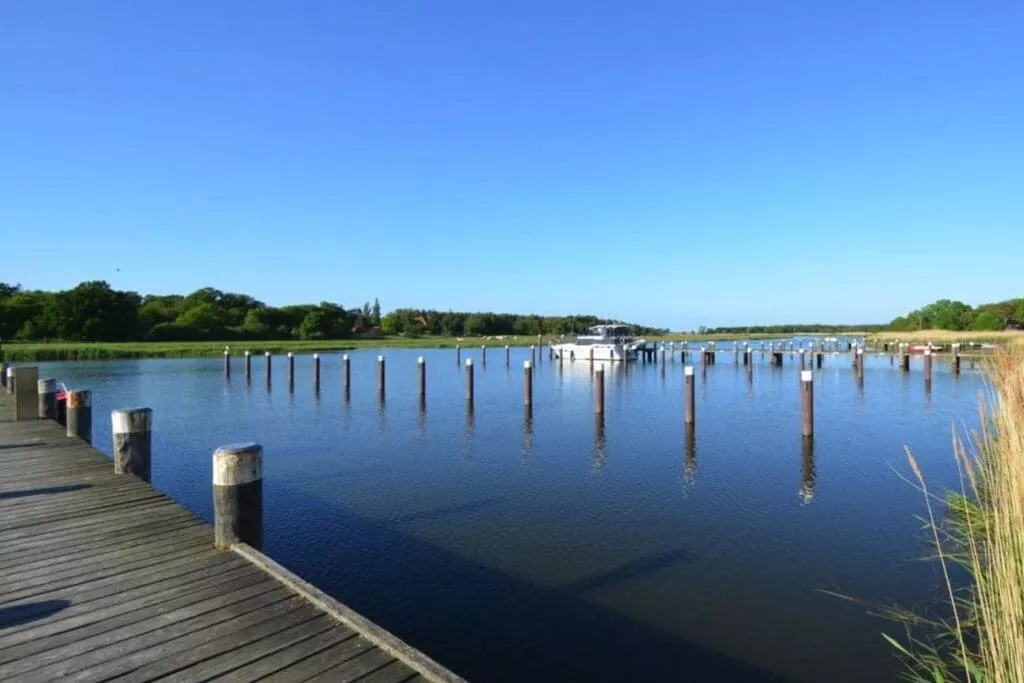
(980,638)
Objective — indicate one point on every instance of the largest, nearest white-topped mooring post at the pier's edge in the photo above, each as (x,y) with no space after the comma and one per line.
(238,496)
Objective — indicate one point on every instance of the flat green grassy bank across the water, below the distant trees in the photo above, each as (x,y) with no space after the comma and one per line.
(34,353)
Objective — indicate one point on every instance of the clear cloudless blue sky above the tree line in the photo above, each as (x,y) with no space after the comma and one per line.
(675,163)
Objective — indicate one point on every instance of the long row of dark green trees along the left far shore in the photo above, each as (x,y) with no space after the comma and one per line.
(94,312)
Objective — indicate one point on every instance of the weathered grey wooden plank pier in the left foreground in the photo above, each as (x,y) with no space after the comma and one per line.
(102,577)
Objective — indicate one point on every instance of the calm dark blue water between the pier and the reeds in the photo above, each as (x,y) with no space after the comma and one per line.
(544,550)
